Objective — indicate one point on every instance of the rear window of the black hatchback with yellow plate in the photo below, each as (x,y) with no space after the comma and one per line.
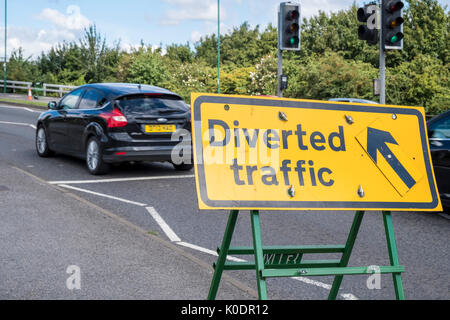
(152,104)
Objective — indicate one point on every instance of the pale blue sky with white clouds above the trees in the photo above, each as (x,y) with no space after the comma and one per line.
(37,25)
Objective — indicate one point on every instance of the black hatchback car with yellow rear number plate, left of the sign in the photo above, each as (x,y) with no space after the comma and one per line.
(114,123)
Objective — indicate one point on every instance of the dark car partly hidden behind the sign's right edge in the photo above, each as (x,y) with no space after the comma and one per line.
(439,136)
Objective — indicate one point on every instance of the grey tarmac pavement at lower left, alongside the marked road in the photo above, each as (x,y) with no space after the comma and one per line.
(55,245)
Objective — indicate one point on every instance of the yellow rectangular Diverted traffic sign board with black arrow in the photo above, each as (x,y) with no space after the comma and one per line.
(285,154)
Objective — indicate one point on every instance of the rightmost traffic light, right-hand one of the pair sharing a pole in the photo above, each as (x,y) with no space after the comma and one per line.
(392,25)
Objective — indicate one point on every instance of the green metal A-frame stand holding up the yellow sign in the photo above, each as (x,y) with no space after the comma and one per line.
(337,268)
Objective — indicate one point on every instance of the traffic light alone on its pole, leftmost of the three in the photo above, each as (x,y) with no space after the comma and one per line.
(289,26)
